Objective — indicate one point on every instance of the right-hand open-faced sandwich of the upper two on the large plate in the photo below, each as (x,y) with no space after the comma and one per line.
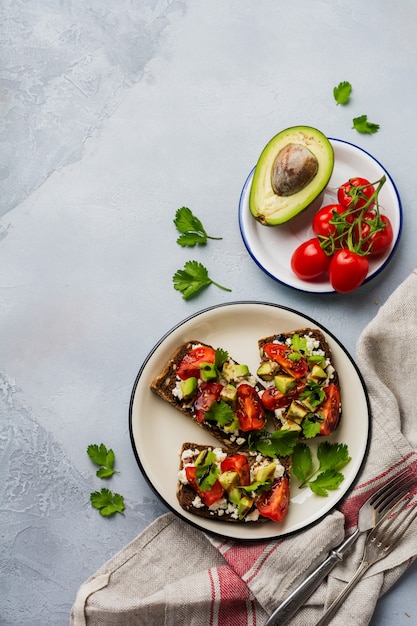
(302,383)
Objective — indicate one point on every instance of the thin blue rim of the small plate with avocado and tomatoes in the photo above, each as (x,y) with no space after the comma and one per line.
(375,273)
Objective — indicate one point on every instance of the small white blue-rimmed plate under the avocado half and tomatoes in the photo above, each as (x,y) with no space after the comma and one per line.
(272,247)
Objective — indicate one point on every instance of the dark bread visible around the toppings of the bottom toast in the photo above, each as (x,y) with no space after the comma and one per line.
(223,509)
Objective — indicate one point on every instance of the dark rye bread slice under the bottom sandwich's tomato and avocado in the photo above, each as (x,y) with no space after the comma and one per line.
(189,500)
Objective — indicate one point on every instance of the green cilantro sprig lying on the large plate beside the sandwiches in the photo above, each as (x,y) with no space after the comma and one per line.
(331,457)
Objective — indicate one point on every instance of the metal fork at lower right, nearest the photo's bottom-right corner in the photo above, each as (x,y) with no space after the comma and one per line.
(380,541)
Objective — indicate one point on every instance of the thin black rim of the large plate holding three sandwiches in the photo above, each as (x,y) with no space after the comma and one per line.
(178,513)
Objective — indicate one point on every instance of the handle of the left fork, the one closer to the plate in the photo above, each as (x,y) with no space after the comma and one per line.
(287,609)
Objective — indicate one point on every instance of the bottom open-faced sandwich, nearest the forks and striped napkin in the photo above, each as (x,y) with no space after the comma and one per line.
(216,483)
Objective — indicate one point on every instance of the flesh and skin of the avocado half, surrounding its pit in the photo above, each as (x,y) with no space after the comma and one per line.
(265,205)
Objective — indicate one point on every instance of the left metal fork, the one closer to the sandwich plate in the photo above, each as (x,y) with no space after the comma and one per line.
(369,514)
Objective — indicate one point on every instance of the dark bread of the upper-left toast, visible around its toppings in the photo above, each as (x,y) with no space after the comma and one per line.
(166,385)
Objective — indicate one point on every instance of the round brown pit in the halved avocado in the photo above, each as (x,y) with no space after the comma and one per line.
(294,167)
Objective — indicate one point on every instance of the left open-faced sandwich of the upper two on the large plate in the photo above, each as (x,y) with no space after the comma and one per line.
(218,393)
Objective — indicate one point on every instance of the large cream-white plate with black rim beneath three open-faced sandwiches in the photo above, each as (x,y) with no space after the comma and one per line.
(158,430)
